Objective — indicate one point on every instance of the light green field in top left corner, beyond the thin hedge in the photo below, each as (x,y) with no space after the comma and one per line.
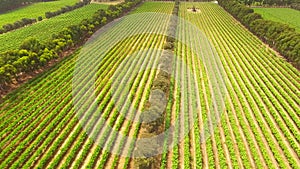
(33,11)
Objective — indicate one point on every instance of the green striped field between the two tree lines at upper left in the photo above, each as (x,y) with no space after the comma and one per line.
(43,30)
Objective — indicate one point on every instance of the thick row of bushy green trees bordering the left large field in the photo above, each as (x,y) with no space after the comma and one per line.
(33,54)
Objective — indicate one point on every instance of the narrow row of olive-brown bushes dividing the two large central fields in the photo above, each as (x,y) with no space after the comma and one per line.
(160,92)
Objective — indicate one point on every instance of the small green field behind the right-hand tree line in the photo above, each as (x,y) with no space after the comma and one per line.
(283,15)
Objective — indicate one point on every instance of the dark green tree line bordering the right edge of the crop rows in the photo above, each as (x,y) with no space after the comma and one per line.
(281,37)
